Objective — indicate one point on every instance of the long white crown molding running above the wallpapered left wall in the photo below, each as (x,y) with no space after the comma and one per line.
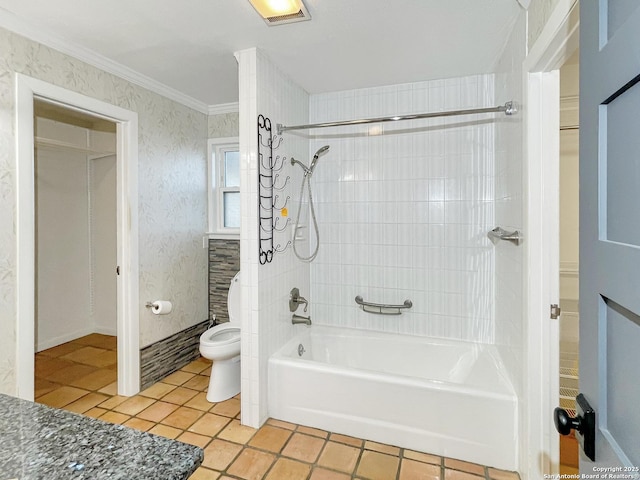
(11,22)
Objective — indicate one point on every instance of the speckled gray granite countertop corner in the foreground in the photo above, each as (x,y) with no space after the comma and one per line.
(40,442)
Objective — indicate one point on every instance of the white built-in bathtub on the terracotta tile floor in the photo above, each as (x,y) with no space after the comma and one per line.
(438,396)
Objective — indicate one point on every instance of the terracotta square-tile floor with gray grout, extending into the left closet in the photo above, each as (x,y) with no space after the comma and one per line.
(80,376)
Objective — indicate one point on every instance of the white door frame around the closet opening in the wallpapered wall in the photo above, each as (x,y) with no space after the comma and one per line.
(27,89)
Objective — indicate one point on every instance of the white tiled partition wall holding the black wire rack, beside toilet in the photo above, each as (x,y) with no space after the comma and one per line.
(267,323)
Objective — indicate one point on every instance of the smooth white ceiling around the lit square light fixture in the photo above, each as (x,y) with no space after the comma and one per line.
(188,45)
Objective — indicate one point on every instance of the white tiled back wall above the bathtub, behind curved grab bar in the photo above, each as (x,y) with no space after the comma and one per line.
(404,209)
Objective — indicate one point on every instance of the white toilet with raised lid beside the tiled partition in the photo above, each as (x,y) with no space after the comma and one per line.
(222,345)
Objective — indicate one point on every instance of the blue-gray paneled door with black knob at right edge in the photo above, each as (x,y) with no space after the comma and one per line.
(610,230)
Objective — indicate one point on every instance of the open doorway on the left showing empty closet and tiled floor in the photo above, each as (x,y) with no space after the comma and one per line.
(76,244)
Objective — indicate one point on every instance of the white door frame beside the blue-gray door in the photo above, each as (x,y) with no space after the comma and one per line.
(540,450)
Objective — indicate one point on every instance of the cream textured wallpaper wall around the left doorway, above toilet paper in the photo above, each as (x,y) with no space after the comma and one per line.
(172,191)
